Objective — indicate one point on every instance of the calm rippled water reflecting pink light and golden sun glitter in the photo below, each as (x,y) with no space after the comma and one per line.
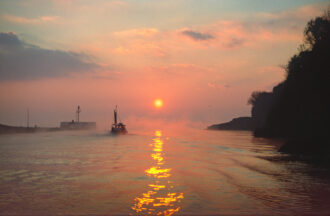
(188,172)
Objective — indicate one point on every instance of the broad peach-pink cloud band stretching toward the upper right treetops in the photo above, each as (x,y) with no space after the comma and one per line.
(256,30)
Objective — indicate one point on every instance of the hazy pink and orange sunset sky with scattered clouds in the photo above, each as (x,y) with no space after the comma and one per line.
(202,58)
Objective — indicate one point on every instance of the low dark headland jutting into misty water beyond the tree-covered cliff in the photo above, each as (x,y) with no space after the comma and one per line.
(241,123)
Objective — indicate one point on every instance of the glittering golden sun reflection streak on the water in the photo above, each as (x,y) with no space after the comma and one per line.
(161,199)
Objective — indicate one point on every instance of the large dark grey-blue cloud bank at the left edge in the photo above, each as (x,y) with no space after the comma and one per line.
(22,61)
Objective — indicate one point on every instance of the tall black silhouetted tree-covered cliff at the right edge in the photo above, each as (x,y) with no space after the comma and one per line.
(299,107)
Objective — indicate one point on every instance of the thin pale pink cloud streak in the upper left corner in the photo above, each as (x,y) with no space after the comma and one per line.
(24,20)
